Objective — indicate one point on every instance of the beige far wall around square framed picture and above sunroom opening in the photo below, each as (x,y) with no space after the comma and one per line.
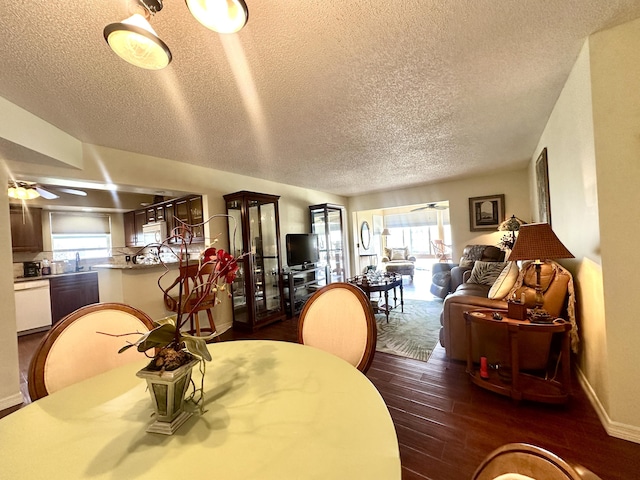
(513,184)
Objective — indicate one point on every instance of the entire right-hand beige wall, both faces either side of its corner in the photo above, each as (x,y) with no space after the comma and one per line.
(594,173)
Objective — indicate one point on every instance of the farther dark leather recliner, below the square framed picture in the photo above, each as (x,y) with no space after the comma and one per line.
(446,277)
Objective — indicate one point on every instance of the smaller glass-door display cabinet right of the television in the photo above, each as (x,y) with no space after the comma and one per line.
(328,221)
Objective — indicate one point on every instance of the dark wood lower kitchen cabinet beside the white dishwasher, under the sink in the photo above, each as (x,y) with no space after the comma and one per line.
(70,292)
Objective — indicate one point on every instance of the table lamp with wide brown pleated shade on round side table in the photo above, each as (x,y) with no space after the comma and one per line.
(537,242)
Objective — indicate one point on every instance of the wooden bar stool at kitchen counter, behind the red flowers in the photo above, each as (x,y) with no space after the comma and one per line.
(196,296)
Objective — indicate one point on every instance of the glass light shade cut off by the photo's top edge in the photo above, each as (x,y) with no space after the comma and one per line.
(222,16)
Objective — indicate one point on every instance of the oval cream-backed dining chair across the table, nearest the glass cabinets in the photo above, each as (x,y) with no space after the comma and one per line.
(339,319)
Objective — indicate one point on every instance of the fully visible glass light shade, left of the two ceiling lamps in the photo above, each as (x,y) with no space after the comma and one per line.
(135,41)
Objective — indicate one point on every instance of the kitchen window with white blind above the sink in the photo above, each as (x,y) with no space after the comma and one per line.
(83,233)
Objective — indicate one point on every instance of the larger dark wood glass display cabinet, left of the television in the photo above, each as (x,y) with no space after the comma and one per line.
(254,228)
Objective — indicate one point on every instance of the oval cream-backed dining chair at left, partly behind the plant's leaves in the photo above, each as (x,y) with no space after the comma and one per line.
(77,348)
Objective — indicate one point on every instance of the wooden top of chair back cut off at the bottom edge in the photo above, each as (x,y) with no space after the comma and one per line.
(521,461)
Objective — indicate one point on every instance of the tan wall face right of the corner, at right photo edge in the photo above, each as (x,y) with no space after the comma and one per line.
(615,70)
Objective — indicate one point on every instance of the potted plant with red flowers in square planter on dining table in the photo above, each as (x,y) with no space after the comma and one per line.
(176,352)
